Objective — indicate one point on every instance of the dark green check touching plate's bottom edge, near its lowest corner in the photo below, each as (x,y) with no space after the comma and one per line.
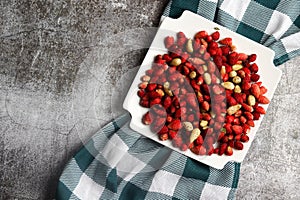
(196,170)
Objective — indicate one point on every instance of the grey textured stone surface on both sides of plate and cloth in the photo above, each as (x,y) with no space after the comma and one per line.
(60,83)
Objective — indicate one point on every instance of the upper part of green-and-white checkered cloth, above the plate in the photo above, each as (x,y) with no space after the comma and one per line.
(273,23)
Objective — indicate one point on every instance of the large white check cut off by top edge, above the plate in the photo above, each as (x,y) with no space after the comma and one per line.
(235,8)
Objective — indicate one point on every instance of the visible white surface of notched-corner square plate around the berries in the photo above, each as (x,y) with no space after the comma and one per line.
(190,24)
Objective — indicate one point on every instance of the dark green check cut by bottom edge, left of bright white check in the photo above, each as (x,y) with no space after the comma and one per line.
(132,192)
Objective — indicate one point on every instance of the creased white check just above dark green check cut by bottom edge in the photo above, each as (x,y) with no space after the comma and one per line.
(129,166)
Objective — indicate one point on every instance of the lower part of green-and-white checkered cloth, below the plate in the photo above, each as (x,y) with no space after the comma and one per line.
(118,163)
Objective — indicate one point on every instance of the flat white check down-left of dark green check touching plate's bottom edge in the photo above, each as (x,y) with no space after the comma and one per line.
(164,182)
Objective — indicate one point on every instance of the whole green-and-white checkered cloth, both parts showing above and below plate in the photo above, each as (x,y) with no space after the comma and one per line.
(119,163)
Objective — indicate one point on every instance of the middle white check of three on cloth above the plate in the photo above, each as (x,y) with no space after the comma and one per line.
(278,25)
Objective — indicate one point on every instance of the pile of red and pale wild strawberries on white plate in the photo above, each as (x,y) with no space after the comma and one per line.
(203,95)
